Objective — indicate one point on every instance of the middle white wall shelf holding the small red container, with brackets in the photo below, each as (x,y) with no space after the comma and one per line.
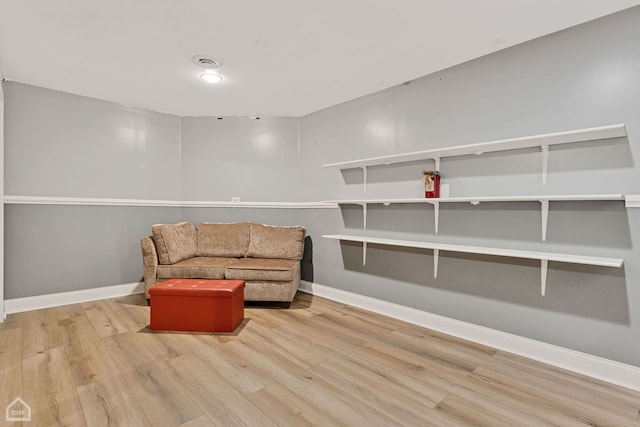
(543,200)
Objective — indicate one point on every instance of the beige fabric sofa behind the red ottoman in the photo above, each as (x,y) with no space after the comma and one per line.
(266,257)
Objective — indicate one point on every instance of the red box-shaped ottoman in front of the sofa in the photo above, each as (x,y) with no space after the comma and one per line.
(197,305)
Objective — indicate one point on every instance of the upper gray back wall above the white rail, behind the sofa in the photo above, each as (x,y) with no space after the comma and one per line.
(255,160)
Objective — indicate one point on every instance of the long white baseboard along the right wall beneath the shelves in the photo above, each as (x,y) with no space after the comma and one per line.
(593,366)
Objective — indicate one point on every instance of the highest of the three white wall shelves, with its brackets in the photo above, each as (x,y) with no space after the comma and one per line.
(543,141)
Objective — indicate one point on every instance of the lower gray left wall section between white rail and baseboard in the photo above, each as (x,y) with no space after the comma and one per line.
(58,248)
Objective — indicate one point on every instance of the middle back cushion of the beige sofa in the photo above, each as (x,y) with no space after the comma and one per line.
(223,240)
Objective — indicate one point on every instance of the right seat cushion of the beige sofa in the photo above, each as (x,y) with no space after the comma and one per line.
(279,270)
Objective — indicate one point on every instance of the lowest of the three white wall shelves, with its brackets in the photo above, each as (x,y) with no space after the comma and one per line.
(543,257)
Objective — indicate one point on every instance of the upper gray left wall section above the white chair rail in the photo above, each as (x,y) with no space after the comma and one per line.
(59,144)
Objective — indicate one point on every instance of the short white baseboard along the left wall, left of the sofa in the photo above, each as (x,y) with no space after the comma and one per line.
(18,305)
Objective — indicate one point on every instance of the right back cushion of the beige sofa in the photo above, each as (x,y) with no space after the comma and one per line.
(269,241)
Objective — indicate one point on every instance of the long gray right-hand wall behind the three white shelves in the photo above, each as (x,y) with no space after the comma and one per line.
(582,77)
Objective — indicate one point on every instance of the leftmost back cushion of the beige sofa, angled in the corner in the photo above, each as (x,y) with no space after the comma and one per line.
(174,242)
